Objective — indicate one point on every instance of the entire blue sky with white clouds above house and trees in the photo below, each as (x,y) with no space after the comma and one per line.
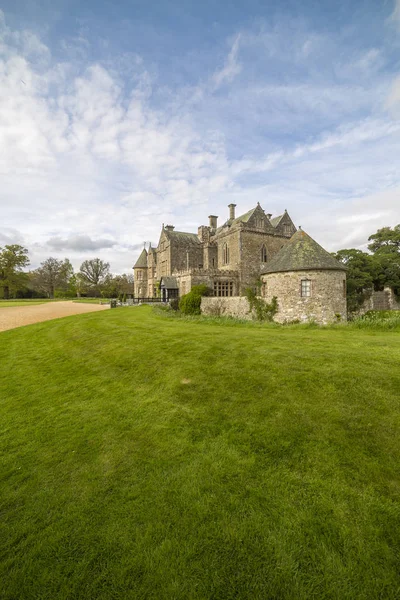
(116,117)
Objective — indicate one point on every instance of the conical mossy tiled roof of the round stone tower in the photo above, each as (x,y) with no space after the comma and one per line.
(300,254)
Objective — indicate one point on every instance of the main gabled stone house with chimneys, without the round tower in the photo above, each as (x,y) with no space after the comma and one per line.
(227,259)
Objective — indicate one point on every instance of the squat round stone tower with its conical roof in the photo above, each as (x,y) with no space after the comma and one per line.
(309,283)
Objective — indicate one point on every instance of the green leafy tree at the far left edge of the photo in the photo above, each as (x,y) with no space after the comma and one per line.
(13,259)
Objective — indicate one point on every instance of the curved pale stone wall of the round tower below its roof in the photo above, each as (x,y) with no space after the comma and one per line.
(326,304)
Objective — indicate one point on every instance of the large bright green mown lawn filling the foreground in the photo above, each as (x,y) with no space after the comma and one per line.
(155,458)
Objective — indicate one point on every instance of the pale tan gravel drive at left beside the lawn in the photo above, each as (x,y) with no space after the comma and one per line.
(26,315)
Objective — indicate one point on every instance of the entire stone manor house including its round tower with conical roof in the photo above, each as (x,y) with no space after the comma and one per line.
(229,258)
